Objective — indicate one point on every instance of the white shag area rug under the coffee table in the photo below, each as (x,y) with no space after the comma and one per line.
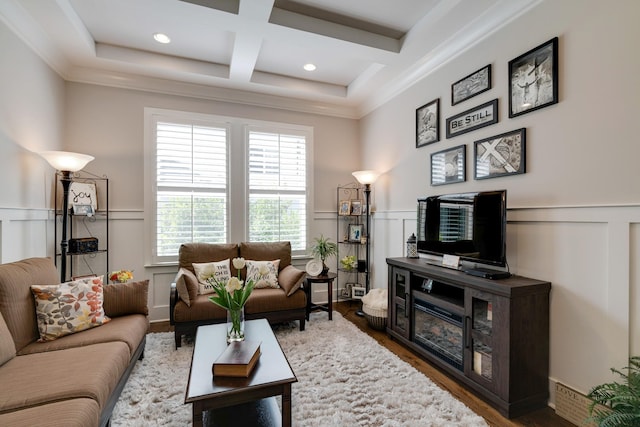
(345,378)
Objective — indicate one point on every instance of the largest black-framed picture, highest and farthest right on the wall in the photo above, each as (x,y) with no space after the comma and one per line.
(533,79)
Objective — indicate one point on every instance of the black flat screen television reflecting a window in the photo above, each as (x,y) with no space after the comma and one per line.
(469,225)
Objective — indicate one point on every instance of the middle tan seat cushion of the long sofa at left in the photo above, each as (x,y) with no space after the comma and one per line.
(91,371)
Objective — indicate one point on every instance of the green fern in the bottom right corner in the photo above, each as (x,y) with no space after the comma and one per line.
(618,404)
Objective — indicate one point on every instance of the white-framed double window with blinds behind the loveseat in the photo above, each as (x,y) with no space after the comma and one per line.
(219,179)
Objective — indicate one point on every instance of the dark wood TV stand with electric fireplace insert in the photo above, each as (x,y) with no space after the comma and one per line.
(490,335)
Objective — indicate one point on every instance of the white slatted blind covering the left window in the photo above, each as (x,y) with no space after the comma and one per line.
(191,182)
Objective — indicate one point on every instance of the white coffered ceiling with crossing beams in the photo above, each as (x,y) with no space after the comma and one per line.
(365,51)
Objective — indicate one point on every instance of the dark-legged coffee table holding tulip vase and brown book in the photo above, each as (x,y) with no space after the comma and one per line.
(272,375)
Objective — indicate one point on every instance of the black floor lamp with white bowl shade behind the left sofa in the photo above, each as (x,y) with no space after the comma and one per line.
(65,162)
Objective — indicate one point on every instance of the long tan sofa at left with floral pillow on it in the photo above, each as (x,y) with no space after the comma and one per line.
(74,380)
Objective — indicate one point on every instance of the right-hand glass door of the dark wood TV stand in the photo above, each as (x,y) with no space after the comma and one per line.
(480,347)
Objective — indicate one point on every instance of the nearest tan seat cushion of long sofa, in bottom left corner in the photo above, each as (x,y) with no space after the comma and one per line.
(69,413)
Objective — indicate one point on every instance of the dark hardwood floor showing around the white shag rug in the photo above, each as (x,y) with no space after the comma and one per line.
(542,418)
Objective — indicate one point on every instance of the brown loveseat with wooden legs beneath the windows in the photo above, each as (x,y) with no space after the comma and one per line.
(188,310)
